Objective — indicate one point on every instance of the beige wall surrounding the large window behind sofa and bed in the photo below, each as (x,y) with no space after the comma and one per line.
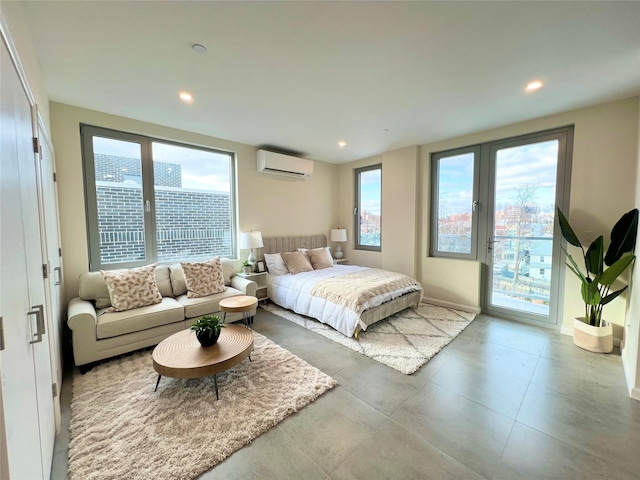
(273,204)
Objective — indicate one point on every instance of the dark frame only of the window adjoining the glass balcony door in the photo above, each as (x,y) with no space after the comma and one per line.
(435,206)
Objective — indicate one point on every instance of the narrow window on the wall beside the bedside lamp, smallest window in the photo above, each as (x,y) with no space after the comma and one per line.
(367,213)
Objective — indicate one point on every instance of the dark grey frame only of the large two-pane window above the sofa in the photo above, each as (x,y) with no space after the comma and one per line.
(87,132)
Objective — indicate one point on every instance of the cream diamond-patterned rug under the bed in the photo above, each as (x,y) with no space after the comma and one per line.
(405,341)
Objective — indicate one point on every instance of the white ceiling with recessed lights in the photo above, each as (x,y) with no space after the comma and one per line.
(306,75)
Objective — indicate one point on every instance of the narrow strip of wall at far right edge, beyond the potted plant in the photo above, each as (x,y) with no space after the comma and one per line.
(631,345)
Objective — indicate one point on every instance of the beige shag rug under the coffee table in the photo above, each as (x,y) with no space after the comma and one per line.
(120,428)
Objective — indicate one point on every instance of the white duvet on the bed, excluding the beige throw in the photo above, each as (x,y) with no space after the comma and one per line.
(293,292)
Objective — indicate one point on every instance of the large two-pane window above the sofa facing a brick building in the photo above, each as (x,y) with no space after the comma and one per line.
(153,200)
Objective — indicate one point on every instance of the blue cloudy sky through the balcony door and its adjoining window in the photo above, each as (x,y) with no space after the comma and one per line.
(533,164)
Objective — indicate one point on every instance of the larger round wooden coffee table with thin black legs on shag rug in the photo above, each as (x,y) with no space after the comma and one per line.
(182,356)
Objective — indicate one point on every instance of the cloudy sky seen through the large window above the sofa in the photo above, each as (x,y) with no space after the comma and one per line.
(201,169)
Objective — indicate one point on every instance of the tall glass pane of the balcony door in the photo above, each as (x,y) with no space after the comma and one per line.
(520,245)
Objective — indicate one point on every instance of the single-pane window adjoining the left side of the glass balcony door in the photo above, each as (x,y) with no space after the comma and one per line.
(454,214)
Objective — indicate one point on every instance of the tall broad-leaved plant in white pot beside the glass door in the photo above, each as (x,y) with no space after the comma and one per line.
(592,332)
